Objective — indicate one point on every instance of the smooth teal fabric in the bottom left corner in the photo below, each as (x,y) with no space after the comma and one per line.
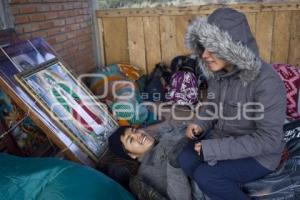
(49,178)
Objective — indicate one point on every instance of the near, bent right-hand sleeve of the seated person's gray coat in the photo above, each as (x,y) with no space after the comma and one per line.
(268,137)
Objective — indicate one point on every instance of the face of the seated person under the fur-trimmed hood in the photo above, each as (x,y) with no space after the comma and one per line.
(213,62)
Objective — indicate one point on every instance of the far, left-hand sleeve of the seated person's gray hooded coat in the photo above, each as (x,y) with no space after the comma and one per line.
(208,111)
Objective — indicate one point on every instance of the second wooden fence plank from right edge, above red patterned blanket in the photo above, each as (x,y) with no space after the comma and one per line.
(281,35)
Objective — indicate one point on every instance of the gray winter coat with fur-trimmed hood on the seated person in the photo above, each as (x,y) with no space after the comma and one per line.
(252,84)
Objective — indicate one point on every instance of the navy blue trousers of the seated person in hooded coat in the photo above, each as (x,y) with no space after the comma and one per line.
(222,180)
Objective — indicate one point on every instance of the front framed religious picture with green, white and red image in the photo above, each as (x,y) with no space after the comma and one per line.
(71,106)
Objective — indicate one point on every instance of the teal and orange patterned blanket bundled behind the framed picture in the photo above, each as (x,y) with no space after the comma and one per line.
(131,110)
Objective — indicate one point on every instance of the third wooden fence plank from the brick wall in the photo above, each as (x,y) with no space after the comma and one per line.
(152,42)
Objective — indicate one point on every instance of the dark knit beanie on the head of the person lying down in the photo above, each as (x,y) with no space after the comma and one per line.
(115,144)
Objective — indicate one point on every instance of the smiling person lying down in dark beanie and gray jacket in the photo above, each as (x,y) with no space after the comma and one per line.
(153,150)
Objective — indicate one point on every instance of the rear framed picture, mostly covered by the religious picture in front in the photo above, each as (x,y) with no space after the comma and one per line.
(21,98)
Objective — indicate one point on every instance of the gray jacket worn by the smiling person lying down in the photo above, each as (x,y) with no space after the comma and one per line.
(155,169)
